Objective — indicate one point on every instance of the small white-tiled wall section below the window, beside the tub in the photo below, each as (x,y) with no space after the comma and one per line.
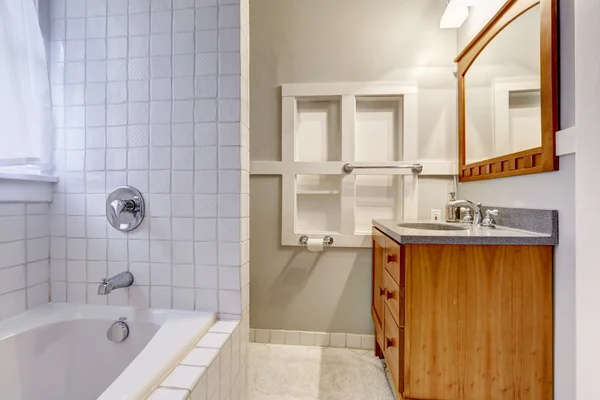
(24,257)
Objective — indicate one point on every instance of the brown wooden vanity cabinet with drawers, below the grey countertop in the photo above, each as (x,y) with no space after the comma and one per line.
(464,322)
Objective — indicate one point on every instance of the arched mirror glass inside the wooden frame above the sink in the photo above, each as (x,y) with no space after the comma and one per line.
(502,92)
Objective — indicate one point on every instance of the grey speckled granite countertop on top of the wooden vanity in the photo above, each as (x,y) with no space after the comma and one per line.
(474,235)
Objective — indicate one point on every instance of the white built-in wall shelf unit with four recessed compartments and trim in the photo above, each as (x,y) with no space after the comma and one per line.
(327,125)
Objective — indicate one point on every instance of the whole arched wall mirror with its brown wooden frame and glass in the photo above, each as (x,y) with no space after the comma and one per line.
(507,85)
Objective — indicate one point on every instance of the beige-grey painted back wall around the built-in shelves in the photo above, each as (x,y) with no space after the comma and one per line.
(296,41)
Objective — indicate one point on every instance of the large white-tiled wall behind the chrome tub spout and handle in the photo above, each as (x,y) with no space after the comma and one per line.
(153,94)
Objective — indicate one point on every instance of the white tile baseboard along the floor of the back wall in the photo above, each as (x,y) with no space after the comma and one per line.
(320,339)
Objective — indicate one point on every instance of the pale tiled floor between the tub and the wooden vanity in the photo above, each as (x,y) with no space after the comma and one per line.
(280,372)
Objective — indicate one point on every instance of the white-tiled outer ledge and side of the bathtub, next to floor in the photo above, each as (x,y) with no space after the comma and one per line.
(215,369)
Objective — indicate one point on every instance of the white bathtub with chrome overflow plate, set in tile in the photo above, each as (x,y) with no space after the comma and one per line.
(61,352)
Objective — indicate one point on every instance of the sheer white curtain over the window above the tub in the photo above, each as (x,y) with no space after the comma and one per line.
(25,106)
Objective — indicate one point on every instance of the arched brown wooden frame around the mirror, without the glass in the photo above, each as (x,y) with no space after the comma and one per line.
(532,161)
